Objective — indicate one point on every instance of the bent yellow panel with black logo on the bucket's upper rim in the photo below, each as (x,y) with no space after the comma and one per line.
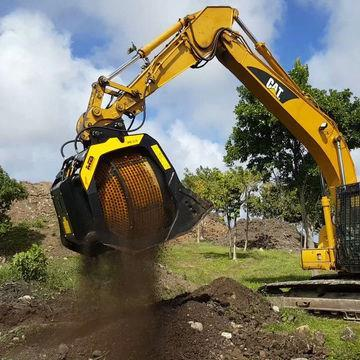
(96,151)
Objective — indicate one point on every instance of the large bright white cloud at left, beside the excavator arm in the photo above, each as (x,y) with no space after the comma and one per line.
(43,90)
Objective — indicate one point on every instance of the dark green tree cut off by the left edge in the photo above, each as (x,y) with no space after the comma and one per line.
(10,190)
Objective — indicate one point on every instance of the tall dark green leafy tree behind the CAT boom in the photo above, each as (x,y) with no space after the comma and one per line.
(259,139)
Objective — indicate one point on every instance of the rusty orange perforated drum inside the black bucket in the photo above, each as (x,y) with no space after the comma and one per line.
(133,199)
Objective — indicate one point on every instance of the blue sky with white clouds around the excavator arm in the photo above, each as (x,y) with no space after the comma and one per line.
(51,52)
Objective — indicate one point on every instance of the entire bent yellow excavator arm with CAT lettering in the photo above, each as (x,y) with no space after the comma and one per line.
(192,42)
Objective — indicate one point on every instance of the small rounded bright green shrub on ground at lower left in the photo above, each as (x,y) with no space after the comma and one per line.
(31,264)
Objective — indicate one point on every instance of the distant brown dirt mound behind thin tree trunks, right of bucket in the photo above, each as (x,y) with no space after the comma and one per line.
(268,234)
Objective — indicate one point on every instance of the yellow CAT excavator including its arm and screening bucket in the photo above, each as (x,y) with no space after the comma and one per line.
(120,191)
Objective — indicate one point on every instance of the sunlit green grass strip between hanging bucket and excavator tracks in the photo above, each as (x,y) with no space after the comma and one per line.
(202,263)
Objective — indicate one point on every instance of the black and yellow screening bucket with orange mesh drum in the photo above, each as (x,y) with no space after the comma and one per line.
(122,193)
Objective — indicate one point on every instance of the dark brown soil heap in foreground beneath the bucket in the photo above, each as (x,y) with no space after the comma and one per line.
(222,320)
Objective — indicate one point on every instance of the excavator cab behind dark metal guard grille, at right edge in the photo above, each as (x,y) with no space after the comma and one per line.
(348,227)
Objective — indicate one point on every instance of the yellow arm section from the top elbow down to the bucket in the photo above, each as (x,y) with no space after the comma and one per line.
(194,38)
